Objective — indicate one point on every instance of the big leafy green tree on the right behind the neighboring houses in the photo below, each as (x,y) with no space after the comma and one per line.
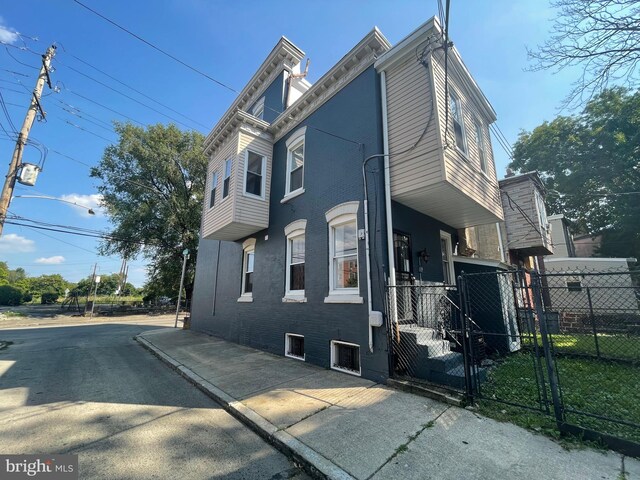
(591,168)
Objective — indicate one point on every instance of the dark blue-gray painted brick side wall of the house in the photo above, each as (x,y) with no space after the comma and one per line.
(332,175)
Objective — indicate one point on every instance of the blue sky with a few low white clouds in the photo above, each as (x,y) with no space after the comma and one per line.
(228,41)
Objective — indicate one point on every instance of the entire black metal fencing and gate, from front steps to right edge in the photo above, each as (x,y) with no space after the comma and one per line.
(565,345)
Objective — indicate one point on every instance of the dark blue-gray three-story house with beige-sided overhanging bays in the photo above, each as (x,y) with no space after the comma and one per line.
(321,198)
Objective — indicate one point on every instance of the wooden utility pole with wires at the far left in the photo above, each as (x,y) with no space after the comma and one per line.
(16,159)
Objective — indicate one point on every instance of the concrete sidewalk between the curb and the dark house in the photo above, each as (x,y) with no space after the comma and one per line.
(342,426)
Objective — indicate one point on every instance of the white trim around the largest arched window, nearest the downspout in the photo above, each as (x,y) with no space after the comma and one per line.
(339,215)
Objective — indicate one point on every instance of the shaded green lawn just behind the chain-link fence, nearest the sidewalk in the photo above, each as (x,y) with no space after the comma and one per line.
(590,385)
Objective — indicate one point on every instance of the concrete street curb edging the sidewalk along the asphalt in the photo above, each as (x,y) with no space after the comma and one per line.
(311,461)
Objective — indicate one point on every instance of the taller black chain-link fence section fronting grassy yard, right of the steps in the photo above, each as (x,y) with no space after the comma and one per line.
(563,343)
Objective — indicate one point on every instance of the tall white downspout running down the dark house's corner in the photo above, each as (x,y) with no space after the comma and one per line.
(387,198)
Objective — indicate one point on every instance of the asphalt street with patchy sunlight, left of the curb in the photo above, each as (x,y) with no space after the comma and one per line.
(93,391)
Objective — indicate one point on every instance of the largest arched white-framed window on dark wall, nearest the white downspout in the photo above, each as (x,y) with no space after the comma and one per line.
(343,254)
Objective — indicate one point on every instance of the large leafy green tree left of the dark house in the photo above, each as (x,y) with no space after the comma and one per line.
(152,183)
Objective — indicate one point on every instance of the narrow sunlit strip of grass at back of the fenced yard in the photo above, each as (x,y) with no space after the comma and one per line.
(618,346)
